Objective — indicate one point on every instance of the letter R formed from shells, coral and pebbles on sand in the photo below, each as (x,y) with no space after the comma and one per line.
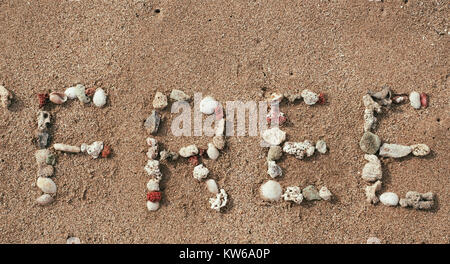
(208,106)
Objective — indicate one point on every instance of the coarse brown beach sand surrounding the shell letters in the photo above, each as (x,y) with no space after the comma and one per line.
(232,50)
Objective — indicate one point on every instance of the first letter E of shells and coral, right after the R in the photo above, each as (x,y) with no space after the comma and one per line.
(271,190)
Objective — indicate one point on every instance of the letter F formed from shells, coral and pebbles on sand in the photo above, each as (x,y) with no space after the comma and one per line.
(46,159)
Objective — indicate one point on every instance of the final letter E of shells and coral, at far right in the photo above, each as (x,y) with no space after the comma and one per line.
(371,145)
